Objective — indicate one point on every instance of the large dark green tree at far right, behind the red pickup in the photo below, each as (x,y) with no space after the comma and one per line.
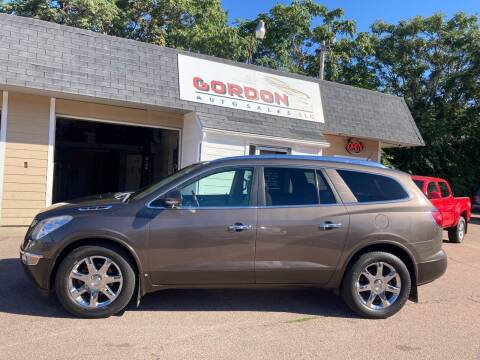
(434,63)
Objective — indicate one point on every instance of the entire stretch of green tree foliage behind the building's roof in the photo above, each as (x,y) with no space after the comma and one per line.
(433,62)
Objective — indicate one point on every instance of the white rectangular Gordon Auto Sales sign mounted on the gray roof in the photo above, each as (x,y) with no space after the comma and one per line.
(214,83)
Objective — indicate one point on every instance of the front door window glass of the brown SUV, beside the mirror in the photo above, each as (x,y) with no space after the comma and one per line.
(225,188)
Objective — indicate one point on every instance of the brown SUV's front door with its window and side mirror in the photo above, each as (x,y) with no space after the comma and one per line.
(210,238)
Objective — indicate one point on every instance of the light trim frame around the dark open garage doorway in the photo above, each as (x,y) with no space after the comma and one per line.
(54,117)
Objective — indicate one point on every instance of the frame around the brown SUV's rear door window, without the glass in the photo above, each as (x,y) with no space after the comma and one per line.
(261,190)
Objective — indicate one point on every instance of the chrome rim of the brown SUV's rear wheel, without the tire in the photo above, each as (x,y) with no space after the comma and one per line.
(378,286)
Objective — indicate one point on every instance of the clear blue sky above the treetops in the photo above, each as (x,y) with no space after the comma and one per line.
(364,12)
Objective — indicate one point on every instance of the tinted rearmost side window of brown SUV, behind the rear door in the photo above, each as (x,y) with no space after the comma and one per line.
(371,187)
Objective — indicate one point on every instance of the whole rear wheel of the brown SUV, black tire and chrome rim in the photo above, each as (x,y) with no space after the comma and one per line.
(358,300)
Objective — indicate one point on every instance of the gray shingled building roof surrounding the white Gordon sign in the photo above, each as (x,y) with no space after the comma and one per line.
(72,63)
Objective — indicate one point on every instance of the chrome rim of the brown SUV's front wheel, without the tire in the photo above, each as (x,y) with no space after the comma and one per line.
(95,282)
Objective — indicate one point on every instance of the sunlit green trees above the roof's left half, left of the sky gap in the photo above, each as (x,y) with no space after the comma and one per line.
(199,26)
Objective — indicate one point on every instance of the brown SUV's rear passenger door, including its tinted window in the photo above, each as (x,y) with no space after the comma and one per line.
(301,229)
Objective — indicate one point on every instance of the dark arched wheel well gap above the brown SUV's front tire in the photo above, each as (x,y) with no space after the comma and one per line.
(112,244)
